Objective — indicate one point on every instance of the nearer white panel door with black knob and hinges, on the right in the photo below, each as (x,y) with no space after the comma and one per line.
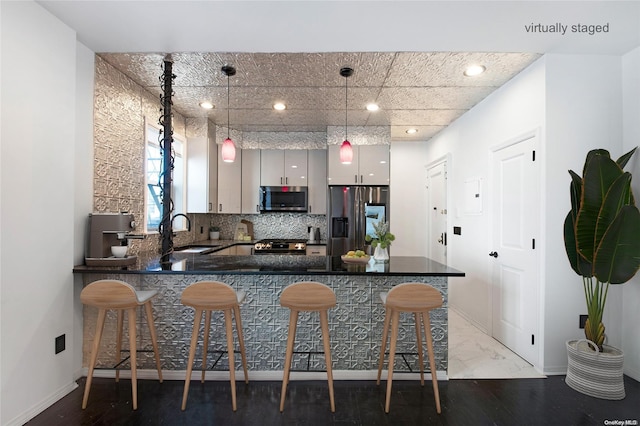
(514,258)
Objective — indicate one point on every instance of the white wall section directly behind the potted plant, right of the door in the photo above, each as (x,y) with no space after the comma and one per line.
(583,112)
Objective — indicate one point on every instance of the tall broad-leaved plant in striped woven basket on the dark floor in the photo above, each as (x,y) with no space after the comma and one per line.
(602,241)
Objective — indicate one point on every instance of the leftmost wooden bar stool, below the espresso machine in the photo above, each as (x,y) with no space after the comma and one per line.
(119,296)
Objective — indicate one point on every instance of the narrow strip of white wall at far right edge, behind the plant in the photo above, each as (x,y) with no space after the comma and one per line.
(630,339)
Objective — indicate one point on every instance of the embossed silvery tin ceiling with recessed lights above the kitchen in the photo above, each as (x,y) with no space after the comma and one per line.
(423,90)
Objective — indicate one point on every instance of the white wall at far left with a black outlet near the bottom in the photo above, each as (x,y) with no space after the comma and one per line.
(38,114)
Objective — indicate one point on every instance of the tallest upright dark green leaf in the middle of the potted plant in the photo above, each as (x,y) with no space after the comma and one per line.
(600,173)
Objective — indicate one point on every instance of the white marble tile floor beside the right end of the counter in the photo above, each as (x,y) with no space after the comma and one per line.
(476,355)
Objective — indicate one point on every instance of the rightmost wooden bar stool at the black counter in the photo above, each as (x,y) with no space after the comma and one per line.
(418,298)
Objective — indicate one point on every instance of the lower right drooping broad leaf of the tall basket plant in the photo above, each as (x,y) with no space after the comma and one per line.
(618,256)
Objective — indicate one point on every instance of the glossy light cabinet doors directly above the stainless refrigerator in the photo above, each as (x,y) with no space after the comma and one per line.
(370,166)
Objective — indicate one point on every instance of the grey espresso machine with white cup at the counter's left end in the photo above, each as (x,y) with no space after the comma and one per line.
(107,230)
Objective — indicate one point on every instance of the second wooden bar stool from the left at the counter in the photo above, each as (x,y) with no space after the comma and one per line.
(210,296)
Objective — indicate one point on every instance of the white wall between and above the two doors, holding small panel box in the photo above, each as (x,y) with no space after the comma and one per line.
(514,109)
